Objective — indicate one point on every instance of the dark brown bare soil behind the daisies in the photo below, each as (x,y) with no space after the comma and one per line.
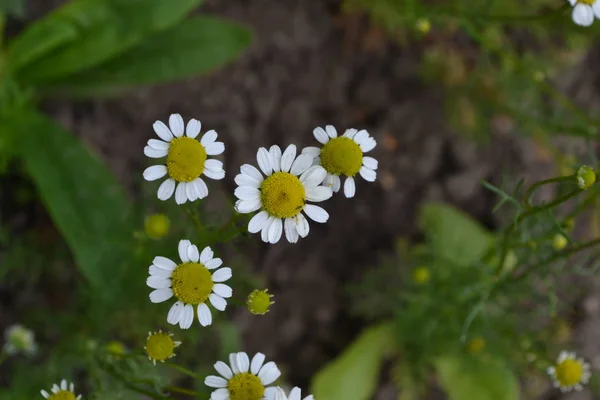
(311,65)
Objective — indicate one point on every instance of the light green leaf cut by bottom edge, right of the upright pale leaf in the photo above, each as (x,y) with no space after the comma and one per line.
(470,378)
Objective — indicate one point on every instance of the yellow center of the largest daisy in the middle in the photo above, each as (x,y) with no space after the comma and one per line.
(282,195)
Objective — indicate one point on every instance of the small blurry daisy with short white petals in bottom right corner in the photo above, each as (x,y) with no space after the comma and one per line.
(569,372)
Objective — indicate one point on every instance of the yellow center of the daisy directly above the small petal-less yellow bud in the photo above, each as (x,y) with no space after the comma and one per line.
(192,283)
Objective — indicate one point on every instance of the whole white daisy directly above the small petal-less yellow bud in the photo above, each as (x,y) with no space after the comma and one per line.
(191,282)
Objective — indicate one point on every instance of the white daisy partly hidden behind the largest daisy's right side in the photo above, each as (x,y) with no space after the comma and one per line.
(344,155)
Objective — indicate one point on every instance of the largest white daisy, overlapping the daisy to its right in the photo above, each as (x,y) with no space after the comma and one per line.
(281,196)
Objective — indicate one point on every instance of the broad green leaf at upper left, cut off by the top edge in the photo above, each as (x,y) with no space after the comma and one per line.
(104,29)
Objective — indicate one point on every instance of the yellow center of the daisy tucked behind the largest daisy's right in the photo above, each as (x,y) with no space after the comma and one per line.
(341,155)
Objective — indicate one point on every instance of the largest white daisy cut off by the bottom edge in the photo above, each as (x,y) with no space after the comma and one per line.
(245,380)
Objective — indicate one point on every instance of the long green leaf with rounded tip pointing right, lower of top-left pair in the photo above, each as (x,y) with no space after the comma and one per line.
(196,46)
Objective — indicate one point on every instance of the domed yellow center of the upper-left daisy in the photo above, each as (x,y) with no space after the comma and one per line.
(185,159)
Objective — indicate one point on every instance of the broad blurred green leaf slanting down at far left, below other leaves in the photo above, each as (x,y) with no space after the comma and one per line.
(86,202)
